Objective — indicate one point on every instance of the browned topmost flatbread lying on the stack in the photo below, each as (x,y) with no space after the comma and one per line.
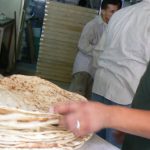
(33,93)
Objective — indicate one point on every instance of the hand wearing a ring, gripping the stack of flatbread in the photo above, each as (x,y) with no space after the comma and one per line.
(83,118)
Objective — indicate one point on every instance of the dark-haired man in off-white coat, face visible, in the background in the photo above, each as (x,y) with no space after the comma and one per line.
(83,70)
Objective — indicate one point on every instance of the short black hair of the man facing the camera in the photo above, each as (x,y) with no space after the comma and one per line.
(105,3)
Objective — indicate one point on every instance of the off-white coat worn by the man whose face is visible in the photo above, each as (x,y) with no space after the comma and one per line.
(90,36)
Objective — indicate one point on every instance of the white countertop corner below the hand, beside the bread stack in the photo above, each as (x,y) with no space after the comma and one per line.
(97,143)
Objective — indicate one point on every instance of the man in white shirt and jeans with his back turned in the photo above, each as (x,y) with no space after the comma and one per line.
(124,55)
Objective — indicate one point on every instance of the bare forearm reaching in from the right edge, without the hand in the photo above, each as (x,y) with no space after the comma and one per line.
(131,121)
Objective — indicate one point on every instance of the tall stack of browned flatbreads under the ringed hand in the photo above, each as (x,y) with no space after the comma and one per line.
(24,118)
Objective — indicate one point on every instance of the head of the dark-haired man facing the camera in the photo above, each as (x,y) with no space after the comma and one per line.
(108,7)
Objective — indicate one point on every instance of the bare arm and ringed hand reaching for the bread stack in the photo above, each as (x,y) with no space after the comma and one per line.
(94,116)
